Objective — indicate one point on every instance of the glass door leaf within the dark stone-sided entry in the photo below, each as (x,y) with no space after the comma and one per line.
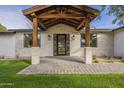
(61,44)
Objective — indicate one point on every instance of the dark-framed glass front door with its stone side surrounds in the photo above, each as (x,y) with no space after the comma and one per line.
(61,44)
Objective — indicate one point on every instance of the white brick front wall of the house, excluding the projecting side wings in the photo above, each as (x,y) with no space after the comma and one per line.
(104,42)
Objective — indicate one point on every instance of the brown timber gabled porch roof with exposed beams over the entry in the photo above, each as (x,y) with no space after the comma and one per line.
(72,15)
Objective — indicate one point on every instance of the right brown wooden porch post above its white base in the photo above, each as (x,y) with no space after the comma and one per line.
(87,33)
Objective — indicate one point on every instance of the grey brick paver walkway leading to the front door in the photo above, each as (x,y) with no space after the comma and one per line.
(71,65)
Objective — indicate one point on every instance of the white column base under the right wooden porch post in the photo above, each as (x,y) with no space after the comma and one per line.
(88,55)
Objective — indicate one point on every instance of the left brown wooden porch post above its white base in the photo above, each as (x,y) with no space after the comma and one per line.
(35,32)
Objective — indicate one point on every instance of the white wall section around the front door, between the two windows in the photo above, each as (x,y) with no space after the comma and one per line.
(47,45)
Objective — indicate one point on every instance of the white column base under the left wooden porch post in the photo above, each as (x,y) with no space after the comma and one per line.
(35,59)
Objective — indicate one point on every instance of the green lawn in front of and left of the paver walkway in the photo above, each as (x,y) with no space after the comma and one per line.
(8,78)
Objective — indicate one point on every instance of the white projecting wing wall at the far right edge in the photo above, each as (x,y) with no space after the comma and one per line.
(119,42)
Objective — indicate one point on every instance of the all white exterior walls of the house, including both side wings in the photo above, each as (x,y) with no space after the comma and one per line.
(108,43)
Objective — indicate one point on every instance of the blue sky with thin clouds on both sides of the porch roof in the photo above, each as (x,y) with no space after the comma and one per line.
(11,16)
